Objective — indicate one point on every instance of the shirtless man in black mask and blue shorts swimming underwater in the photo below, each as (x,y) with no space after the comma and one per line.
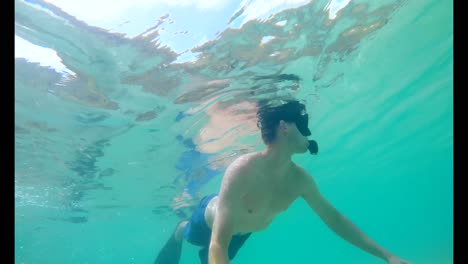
(256,187)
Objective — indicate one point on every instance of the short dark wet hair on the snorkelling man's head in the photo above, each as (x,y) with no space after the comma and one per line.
(269,115)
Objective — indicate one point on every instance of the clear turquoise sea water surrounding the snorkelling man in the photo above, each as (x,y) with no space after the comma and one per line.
(110,158)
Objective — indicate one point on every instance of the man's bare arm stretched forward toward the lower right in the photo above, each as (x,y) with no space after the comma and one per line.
(340,224)
